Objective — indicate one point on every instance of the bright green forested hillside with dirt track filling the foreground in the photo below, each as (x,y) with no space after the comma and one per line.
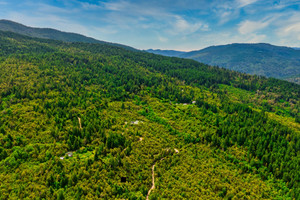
(96,121)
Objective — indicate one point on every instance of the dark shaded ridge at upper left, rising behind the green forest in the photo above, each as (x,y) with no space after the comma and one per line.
(48,33)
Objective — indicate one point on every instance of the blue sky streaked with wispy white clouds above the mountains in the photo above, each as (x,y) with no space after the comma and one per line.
(165,24)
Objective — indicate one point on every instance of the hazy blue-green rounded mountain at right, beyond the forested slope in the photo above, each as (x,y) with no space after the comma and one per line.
(261,59)
